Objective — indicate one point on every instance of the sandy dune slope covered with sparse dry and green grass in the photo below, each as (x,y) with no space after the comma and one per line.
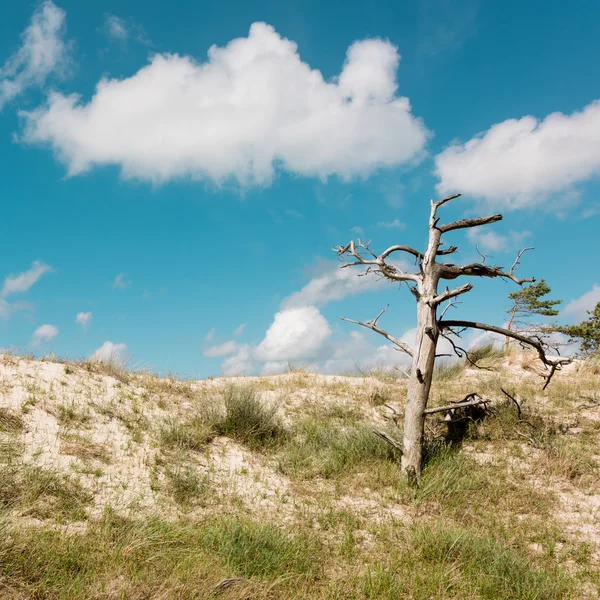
(116,484)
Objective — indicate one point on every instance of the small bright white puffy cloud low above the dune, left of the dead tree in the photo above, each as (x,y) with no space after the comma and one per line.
(294,334)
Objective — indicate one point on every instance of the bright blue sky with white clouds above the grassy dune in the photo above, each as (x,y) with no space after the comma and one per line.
(188,199)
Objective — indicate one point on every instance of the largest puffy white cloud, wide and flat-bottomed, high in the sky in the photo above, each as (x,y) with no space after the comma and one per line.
(251,106)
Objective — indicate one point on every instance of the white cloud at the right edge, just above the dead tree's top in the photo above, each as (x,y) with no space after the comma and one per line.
(522,162)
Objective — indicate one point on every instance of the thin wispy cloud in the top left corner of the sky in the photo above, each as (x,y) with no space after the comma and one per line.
(43,51)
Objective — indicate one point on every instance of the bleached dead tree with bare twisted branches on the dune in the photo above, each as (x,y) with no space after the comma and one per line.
(424,286)
